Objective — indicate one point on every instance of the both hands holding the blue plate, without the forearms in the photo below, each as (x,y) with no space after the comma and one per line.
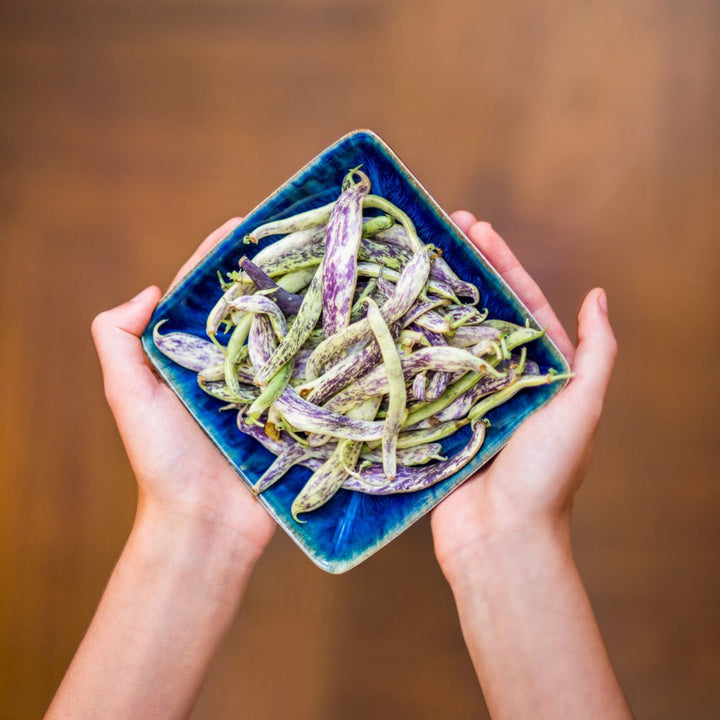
(184,479)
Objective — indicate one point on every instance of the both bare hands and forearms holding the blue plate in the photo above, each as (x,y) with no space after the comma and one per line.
(502,539)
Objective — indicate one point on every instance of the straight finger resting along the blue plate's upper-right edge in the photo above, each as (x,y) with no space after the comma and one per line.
(492,246)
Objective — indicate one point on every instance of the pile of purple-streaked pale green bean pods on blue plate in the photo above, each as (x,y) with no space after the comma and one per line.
(354,349)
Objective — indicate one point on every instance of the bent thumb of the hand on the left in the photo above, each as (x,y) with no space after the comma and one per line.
(116,334)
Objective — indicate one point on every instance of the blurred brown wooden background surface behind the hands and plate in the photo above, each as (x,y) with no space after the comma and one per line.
(587,133)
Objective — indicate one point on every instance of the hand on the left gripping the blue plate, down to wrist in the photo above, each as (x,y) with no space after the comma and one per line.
(182,477)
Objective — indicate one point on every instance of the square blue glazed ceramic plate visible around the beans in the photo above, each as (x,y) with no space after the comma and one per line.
(352,526)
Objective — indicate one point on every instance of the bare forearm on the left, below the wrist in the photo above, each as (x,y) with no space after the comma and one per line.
(168,603)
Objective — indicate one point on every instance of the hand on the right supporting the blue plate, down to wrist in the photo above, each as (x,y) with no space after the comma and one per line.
(530,486)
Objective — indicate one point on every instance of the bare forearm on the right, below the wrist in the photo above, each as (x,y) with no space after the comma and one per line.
(530,629)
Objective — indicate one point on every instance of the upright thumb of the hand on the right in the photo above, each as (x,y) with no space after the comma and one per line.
(594,357)
